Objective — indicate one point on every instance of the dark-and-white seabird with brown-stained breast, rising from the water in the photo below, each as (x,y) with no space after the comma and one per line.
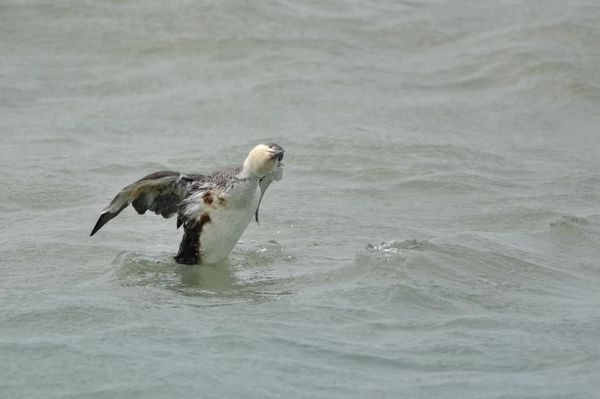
(214,209)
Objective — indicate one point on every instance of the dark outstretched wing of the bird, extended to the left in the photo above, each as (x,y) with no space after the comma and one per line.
(160,192)
